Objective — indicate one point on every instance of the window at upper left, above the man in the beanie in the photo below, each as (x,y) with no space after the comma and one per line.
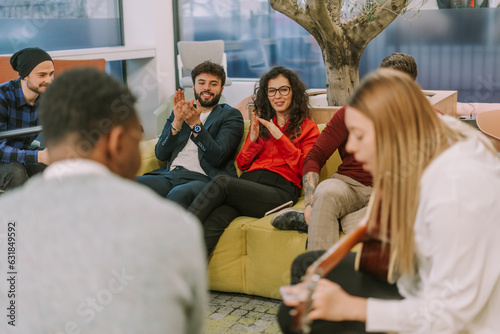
(59,24)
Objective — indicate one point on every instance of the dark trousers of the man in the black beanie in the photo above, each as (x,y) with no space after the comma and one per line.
(14,174)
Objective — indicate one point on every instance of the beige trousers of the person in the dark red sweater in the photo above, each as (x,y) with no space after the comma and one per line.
(338,203)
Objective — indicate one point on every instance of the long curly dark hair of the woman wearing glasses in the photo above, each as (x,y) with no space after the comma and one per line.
(299,106)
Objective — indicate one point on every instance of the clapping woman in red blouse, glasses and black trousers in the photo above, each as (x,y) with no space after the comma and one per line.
(271,159)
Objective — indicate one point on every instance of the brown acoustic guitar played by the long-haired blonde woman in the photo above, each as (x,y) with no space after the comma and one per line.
(373,258)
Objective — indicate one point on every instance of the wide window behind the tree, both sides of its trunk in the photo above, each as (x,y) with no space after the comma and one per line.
(455,46)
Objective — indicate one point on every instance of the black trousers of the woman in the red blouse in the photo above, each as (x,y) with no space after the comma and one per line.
(226,197)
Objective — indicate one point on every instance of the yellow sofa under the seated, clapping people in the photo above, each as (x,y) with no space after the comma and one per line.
(252,257)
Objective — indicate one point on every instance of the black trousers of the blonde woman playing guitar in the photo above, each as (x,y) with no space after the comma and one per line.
(354,282)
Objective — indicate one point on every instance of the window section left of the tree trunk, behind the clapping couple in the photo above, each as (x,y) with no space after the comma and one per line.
(256,37)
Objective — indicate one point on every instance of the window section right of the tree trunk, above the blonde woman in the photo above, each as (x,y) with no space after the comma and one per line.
(450,55)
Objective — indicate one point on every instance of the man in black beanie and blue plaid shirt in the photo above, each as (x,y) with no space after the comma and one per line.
(19,109)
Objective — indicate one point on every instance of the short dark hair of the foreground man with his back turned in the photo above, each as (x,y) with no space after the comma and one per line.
(85,102)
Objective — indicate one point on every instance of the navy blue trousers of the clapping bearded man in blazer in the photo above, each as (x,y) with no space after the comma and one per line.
(179,185)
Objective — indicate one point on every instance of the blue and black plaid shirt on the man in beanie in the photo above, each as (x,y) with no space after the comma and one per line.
(16,113)
